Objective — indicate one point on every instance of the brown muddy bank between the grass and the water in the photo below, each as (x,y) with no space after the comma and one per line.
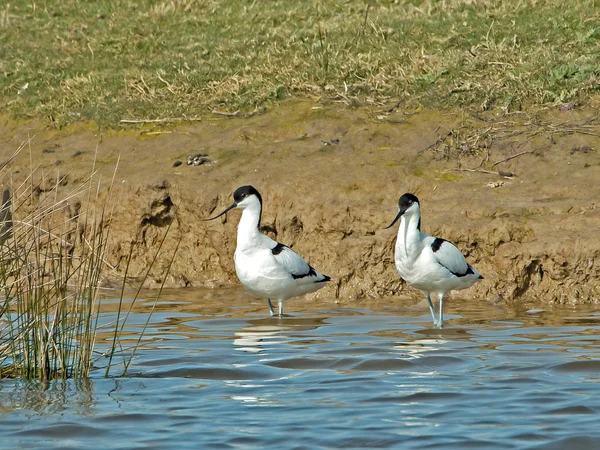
(516,192)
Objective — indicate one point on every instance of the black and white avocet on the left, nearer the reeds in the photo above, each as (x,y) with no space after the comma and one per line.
(266,268)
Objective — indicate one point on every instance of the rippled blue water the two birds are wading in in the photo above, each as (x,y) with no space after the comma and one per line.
(215,372)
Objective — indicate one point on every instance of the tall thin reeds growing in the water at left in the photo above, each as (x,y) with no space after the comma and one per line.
(53,256)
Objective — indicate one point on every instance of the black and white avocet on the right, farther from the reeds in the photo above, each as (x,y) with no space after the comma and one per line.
(431,265)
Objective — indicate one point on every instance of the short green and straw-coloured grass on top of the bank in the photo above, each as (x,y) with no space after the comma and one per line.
(108,60)
